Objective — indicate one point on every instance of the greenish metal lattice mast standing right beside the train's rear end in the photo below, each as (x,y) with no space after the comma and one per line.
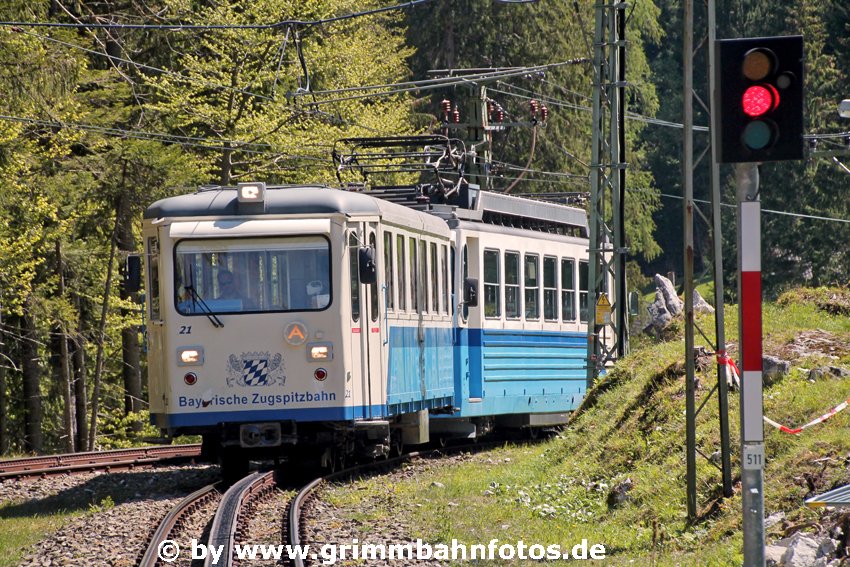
(607,338)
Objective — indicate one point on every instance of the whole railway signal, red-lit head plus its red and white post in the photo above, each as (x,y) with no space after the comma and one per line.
(759,98)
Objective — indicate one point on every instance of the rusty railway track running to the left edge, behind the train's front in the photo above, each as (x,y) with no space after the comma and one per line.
(118,459)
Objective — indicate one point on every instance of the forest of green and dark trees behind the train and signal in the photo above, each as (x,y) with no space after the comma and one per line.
(99,121)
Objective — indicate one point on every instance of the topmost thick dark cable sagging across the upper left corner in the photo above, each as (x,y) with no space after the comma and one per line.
(209,27)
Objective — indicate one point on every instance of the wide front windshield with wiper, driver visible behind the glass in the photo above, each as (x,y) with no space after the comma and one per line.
(252,275)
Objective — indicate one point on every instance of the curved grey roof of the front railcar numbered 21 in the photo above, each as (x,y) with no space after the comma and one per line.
(291,200)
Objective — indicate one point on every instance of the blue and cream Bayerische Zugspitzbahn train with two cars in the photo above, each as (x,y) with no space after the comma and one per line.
(319,323)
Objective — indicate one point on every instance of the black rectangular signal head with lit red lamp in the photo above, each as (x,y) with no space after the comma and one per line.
(760,89)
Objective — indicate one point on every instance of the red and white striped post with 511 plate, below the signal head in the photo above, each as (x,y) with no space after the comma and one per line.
(750,332)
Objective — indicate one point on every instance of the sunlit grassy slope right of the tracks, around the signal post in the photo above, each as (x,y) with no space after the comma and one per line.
(556,492)
